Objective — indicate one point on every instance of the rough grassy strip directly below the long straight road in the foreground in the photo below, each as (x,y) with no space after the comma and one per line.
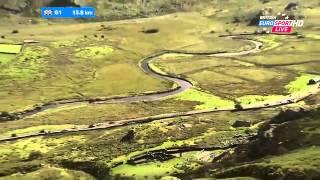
(92,146)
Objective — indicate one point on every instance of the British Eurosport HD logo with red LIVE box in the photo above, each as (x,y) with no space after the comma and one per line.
(281,23)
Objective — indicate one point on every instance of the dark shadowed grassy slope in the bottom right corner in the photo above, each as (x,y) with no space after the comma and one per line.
(293,153)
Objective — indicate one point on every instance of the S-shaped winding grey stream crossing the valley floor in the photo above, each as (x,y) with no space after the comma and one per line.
(183,84)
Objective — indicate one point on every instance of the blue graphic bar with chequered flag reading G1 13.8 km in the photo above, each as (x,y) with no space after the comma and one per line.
(68,12)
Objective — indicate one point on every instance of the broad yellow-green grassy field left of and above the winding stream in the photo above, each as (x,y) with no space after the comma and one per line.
(60,73)
